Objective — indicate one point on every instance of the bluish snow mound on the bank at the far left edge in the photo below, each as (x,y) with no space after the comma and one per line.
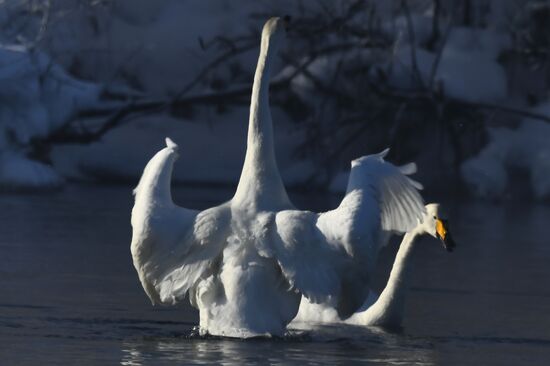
(37,96)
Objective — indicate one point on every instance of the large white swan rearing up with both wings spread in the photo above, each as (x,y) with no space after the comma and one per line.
(246,262)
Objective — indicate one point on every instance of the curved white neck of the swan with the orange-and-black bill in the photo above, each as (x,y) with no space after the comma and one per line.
(388,308)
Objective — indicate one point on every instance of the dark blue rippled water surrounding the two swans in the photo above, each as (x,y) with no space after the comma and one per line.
(69,294)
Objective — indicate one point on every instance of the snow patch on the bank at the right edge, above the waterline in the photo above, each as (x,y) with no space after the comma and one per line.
(526,148)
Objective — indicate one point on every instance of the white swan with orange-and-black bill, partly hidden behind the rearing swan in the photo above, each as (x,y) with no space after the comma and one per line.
(387,309)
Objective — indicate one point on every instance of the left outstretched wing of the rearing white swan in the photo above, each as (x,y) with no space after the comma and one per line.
(172,247)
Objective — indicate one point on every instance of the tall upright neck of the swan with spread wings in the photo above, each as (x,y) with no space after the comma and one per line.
(260,185)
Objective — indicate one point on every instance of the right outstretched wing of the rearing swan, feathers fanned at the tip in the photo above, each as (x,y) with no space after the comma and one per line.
(329,256)
